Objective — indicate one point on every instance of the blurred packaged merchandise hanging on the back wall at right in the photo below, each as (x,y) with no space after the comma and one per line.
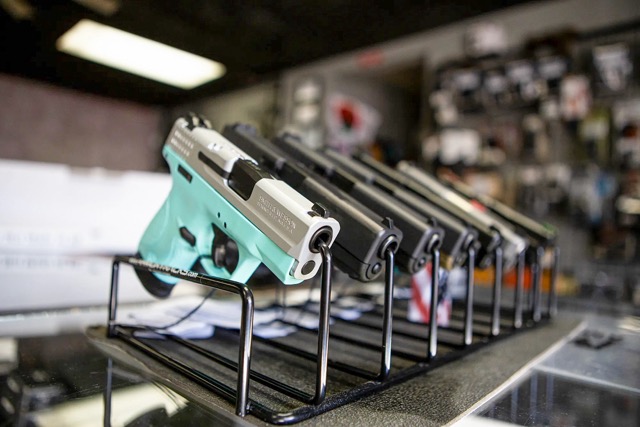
(565,117)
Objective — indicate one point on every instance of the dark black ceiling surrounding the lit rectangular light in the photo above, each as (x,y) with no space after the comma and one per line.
(255,40)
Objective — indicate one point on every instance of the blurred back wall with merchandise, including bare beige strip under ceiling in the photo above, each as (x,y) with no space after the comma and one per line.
(543,117)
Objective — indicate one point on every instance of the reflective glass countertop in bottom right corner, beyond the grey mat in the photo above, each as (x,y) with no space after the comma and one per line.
(592,380)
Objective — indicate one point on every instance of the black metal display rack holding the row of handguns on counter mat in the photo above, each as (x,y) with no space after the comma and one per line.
(480,325)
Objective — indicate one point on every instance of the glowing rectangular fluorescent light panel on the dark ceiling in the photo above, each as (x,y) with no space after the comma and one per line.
(134,54)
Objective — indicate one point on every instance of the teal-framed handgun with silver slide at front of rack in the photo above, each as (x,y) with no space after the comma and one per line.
(226,215)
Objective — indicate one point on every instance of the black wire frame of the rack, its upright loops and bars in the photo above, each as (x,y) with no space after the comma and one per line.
(521,316)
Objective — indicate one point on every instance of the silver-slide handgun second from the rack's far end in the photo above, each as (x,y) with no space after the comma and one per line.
(488,225)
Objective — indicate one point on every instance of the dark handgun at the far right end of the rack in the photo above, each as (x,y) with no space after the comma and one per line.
(539,234)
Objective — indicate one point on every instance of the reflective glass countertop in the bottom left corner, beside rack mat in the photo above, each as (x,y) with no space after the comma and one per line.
(65,381)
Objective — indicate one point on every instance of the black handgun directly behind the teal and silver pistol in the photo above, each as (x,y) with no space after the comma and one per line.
(360,250)
